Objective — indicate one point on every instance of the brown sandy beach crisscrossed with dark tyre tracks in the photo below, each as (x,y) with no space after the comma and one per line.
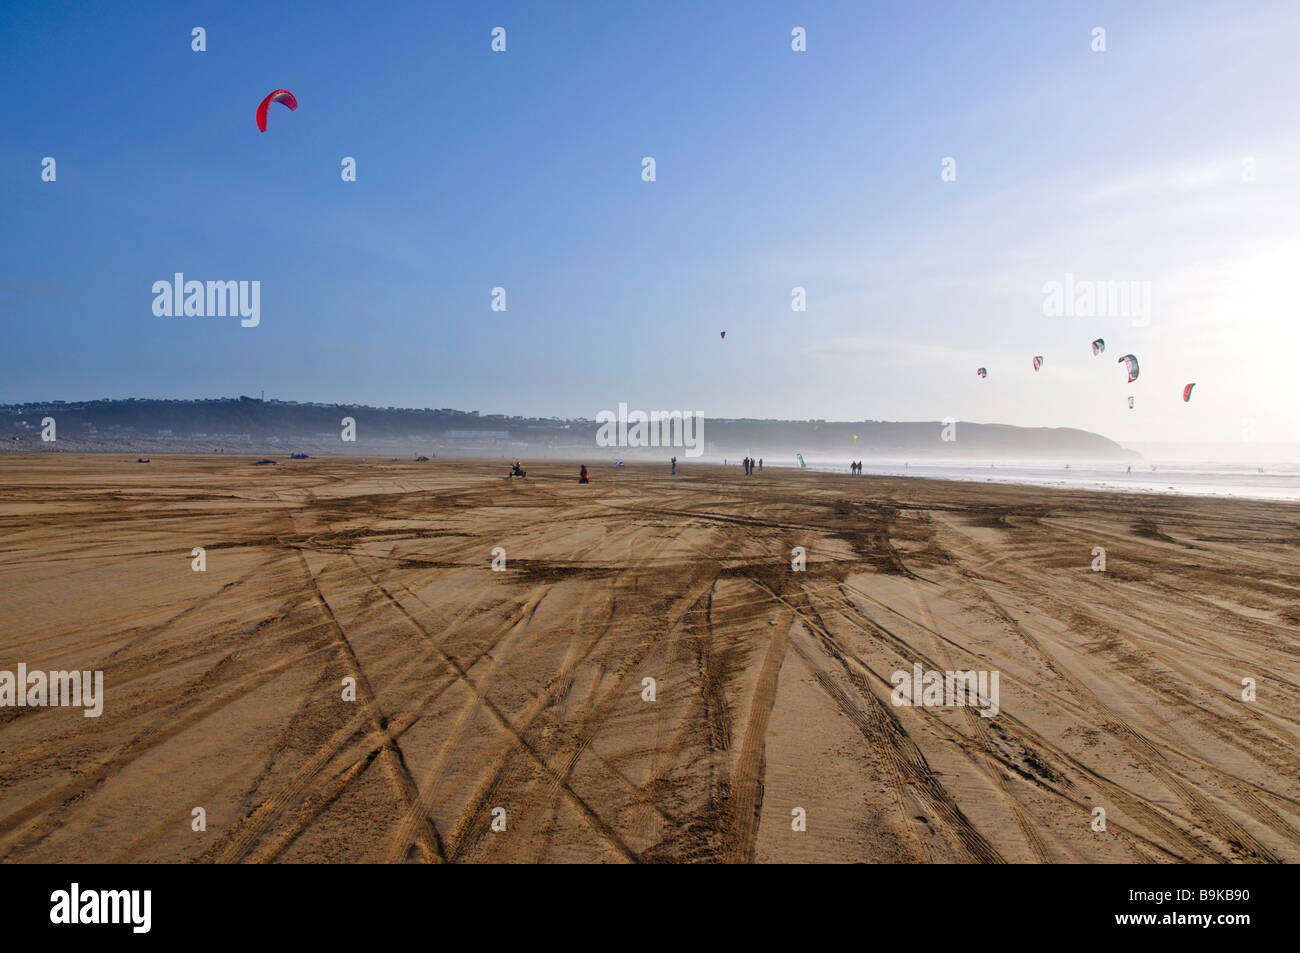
(518,699)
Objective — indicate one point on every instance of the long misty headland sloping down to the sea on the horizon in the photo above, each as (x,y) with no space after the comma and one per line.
(253,426)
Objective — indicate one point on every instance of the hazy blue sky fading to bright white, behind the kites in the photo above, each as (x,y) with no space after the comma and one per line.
(775,170)
